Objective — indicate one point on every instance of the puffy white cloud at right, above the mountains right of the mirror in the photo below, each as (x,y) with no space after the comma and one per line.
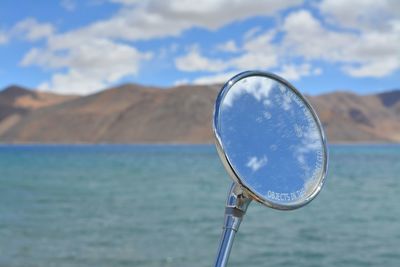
(366,53)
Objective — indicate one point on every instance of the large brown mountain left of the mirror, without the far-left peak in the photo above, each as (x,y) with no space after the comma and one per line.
(125,114)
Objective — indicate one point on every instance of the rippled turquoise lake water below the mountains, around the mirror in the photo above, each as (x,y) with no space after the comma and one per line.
(163,206)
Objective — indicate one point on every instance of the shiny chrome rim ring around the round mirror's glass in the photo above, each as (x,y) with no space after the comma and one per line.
(225,158)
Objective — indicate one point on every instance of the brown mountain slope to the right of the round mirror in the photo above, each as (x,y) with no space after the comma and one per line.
(349,117)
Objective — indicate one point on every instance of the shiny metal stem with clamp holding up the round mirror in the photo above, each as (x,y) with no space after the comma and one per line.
(236,206)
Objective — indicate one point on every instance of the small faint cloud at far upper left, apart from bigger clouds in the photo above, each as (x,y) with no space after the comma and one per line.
(30,29)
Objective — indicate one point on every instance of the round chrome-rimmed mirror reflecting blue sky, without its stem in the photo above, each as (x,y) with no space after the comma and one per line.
(270,140)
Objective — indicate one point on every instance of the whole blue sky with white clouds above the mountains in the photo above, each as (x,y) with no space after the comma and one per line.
(81,47)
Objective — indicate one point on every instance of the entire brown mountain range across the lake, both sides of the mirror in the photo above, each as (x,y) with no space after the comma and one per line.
(138,114)
